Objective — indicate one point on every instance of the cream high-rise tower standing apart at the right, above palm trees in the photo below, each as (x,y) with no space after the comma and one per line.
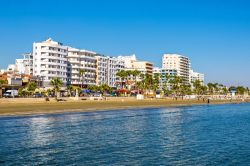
(179,63)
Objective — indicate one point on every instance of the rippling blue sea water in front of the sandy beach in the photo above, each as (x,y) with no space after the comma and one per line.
(197,135)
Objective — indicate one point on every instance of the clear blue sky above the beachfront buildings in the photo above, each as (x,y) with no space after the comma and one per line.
(215,34)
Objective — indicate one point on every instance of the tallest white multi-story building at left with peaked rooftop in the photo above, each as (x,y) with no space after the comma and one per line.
(50,61)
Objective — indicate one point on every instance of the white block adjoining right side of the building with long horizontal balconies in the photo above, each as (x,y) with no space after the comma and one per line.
(106,70)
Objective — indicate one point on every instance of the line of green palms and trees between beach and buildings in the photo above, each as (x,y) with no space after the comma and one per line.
(170,85)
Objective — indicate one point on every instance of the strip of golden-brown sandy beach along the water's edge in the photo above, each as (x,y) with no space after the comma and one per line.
(19,107)
